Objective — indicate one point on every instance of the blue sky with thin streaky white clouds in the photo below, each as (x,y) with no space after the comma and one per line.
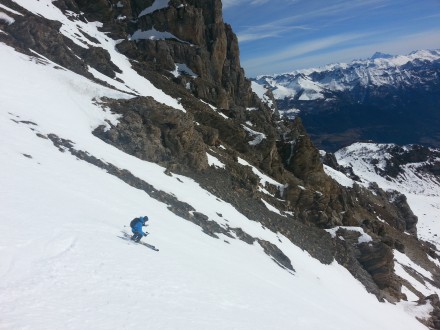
(277,36)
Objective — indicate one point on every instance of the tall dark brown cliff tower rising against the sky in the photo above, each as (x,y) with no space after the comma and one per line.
(196,37)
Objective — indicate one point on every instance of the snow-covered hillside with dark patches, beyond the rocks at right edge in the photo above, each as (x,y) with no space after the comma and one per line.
(412,170)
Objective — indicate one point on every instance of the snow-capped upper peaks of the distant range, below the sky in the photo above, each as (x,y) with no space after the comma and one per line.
(379,70)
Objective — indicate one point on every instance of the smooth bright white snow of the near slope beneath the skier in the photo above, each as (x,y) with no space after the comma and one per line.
(63,265)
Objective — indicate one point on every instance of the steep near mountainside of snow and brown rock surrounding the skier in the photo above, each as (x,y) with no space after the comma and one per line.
(252,232)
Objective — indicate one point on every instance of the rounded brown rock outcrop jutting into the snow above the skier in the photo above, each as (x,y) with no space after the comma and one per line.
(155,132)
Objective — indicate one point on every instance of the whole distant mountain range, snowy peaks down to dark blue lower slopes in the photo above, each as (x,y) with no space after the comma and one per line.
(386,99)
